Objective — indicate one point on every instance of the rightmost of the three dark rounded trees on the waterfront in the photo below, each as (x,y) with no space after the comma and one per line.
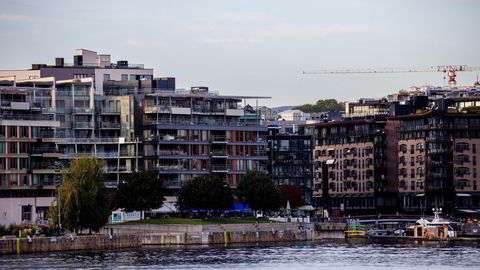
(259,191)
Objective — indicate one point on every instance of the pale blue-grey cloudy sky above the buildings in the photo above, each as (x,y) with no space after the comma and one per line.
(257,47)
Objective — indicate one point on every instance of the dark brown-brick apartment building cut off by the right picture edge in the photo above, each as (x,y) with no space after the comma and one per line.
(437,160)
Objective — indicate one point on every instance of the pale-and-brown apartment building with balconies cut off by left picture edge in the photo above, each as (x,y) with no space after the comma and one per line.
(29,167)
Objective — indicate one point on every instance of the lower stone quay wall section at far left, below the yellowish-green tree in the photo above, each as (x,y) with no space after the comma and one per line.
(51,244)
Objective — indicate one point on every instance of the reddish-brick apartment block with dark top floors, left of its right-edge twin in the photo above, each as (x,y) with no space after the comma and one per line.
(350,166)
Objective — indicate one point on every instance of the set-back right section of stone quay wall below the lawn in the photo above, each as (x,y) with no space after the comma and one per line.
(226,233)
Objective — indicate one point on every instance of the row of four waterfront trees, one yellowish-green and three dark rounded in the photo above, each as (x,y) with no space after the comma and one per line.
(85,203)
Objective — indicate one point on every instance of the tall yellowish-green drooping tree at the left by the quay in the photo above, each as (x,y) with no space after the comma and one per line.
(83,203)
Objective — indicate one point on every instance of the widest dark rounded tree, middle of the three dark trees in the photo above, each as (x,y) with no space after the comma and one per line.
(208,192)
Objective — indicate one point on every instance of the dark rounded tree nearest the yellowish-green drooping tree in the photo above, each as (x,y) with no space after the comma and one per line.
(140,192)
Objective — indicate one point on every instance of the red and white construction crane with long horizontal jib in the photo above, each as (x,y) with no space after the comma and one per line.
(449,70)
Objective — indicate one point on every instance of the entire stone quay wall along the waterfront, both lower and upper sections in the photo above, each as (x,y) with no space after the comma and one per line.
(136,235)
